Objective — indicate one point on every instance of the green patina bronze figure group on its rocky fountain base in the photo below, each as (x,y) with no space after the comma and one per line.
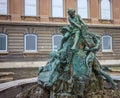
(74,70)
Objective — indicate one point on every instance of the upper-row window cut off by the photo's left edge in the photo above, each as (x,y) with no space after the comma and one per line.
(3,7)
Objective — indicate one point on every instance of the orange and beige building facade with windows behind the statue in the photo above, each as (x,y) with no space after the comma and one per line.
(29,29)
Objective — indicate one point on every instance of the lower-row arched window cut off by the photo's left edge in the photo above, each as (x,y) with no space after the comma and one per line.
(3,43)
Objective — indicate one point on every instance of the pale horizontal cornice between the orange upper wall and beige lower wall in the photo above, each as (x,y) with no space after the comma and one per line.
(7,23)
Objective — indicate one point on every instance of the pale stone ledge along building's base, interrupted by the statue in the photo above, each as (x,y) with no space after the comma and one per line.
(34,64)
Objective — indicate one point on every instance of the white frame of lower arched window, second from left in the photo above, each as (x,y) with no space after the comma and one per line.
(25,50)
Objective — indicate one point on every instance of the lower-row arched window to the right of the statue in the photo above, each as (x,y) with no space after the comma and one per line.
(106,43)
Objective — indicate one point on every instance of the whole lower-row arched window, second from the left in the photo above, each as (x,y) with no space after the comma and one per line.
(30,43)
